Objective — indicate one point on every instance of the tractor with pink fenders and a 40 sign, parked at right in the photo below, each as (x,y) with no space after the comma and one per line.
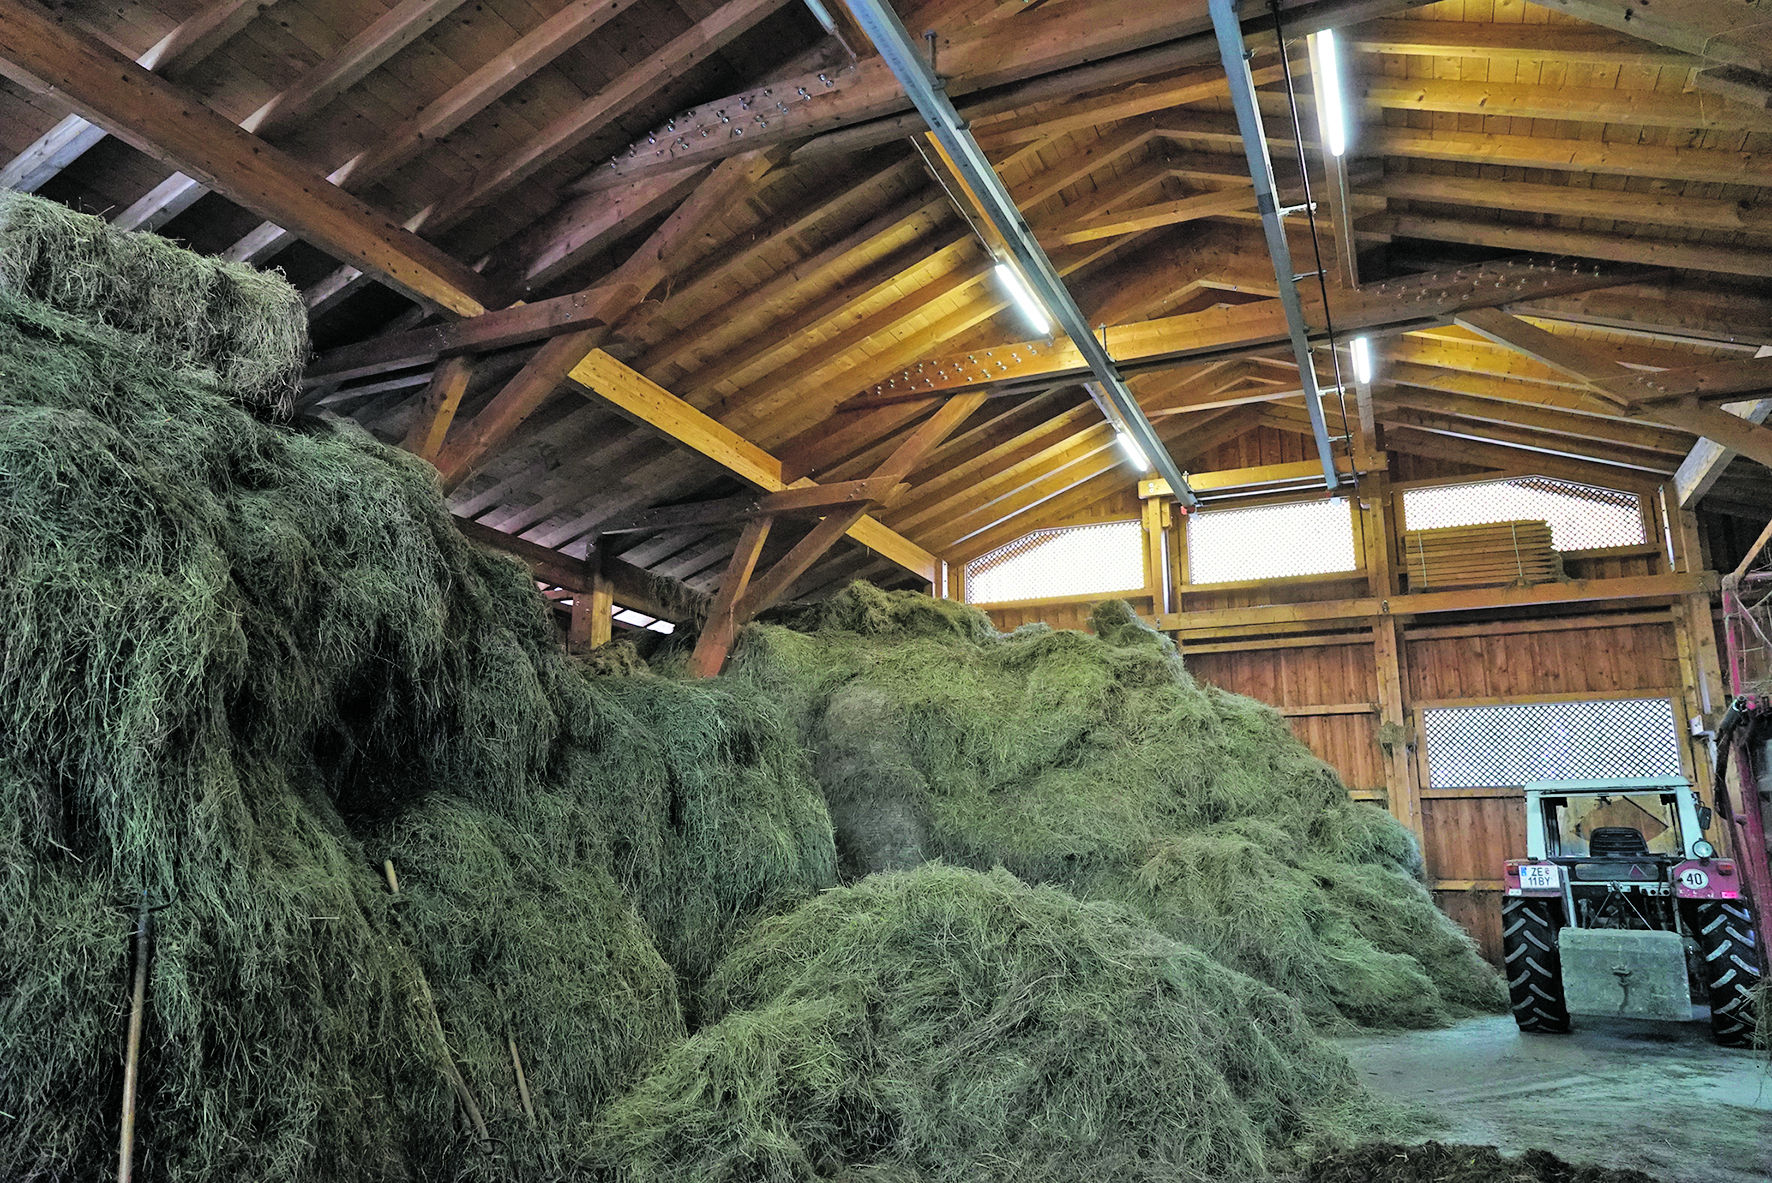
(1622,909)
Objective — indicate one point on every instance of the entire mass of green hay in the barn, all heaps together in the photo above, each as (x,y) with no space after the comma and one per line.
(247,665)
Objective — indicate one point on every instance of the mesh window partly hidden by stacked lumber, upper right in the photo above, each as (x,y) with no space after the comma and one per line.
(1582,516)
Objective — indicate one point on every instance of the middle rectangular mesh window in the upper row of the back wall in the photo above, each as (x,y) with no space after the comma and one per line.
(1271,541)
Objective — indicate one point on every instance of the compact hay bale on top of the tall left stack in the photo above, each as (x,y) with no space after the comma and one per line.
(247,327)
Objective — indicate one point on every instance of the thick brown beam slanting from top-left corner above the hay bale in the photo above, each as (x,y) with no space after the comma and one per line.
(43,54)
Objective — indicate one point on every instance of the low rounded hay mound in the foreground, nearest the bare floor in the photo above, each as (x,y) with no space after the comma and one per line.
(945,1024)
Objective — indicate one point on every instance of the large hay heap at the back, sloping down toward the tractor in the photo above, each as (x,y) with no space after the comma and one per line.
(1098,764)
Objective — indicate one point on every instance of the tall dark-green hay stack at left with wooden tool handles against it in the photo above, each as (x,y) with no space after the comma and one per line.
(244,667)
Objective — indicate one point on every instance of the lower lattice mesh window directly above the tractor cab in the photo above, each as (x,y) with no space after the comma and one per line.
(1516,745)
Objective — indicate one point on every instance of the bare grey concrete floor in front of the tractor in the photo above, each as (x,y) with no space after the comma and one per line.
(1656,1097)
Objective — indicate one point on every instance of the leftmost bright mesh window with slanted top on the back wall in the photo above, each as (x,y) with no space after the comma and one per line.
(1069,561)
